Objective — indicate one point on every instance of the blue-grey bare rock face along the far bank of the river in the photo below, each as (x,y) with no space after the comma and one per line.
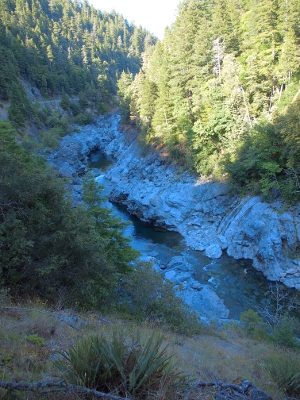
(203,212)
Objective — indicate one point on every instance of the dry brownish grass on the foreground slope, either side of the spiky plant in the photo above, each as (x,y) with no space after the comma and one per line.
(226,356)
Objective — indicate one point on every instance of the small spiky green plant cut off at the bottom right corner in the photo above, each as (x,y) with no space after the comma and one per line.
(284,370)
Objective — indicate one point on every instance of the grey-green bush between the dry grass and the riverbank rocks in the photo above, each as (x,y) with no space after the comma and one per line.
(148,296)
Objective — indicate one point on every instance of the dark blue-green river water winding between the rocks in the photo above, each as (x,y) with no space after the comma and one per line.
(235,281)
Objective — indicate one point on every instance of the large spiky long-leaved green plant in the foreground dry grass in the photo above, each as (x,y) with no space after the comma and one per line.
(123,365)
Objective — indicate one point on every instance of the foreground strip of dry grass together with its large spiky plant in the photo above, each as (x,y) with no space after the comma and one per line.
(107,352)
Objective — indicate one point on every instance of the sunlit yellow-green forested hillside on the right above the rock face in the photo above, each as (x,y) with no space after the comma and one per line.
(221,94)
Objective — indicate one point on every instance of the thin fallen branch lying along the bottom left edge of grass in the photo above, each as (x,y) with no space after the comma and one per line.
(56,387)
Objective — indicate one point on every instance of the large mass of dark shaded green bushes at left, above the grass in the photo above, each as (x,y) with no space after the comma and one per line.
(46,244)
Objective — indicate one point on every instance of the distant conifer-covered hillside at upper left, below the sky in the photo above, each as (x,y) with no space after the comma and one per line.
(62,46)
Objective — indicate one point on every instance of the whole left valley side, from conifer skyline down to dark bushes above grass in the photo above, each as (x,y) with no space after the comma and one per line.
(49,246)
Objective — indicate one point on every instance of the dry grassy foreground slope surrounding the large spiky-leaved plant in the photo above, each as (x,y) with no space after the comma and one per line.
(33,339)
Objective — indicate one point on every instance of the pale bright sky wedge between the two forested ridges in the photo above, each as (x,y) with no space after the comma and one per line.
(153,15)
